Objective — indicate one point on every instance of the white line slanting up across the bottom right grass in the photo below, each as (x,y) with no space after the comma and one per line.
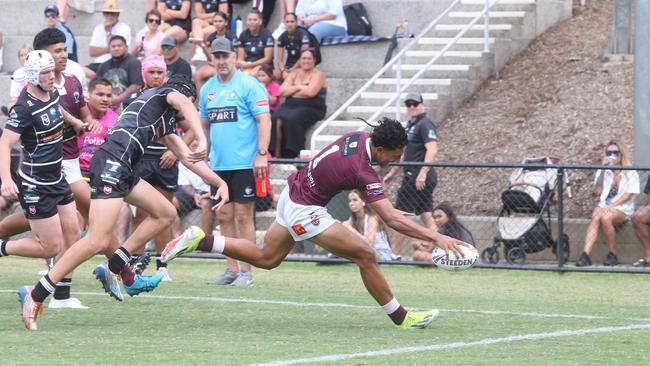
(455,345)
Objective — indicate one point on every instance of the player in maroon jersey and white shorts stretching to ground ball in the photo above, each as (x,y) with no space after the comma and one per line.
(301,214)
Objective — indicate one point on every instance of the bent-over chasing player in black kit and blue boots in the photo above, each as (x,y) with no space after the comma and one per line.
(150,115)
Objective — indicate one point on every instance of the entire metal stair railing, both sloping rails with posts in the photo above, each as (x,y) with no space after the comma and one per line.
(397,59)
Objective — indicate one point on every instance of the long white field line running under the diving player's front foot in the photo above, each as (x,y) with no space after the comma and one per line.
(351,306)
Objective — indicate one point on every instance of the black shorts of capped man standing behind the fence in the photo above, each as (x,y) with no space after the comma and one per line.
(409,199)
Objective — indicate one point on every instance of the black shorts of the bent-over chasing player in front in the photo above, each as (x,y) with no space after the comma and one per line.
(109,177)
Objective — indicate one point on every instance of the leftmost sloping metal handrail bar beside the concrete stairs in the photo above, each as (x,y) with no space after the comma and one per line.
(379,73)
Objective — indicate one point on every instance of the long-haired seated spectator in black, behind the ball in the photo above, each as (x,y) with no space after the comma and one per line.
(447,224)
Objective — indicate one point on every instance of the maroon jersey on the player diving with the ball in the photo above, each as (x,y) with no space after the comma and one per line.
(343,165)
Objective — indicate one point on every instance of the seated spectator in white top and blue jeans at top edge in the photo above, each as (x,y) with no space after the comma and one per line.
(323,18)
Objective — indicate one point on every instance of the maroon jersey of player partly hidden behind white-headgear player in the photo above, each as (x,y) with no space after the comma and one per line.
(71,98)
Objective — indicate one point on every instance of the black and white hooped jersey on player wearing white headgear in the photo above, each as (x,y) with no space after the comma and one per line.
(40,125)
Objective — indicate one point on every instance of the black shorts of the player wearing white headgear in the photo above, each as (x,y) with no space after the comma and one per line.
(41,201)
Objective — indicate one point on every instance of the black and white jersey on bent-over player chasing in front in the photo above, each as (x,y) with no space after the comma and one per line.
(146,118)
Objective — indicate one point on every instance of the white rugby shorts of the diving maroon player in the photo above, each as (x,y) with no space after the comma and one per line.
(303,222)
